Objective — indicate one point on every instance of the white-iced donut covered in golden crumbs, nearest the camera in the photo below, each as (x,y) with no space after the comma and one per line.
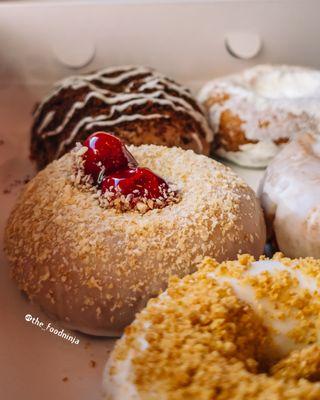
(241,329)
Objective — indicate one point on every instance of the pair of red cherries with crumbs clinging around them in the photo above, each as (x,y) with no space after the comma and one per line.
(123,184)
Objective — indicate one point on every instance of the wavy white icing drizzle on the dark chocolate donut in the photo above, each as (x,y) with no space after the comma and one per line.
(155,88)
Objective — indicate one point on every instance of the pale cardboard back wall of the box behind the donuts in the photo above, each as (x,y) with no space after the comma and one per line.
(184,40)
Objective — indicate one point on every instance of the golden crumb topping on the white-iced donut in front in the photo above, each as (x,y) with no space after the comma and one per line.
(201,341)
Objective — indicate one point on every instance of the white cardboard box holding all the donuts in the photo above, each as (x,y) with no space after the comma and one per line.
(43,41)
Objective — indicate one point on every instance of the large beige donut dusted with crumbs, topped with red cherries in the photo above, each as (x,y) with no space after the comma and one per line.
(91,256)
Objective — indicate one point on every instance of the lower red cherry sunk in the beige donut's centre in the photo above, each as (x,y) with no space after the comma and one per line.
(140,182)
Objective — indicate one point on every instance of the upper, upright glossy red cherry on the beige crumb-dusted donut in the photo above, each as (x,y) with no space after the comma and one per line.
(105,155)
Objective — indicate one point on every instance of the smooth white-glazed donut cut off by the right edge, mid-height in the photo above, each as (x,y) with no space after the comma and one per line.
(290,196)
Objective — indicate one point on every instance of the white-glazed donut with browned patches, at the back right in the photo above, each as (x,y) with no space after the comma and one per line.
(255,113)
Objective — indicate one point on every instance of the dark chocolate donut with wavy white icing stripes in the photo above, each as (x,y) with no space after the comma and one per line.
(136,103)
